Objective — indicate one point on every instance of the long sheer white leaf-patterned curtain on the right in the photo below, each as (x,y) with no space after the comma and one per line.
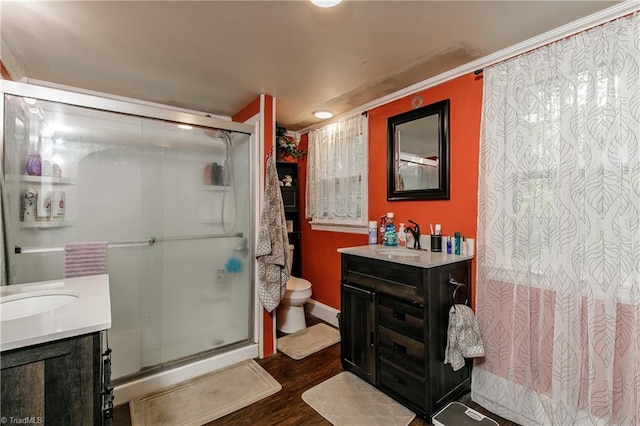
(558,283)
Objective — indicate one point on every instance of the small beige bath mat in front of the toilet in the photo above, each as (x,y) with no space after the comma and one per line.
(308,341)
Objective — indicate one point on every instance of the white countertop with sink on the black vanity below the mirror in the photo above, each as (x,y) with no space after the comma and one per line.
(405,256)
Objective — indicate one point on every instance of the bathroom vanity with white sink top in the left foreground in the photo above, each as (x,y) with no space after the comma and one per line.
(53,368)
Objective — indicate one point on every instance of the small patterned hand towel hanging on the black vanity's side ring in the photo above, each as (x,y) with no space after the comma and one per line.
(463,337)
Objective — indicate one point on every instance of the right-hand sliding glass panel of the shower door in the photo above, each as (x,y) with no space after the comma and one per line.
(204,203)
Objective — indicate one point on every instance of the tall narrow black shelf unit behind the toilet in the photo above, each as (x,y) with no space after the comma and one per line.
(291,201)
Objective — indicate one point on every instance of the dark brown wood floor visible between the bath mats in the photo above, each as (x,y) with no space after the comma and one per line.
(287,407)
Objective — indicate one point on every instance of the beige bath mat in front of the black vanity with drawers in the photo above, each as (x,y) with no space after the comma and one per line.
(348,400)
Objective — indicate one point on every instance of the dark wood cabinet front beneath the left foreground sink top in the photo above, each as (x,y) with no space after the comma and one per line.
(55,383)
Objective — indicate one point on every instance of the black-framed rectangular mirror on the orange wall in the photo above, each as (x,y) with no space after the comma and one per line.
(418,153)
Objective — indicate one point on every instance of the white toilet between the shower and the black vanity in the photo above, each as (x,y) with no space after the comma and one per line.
(290,317)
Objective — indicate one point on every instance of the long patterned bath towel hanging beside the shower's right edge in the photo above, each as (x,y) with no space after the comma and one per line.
(273,243)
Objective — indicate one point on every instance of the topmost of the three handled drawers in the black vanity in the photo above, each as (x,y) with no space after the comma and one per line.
(402,317)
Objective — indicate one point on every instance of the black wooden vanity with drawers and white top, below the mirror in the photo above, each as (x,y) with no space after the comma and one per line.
(394,318)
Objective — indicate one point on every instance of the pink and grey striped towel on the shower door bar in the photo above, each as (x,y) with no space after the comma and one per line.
(82,259)
